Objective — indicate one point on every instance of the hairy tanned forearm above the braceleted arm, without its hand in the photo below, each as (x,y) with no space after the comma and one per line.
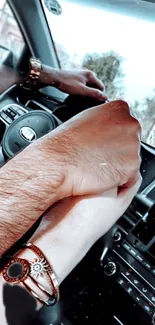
(29,184)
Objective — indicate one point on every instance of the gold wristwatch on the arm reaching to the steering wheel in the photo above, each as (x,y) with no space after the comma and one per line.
(32,81)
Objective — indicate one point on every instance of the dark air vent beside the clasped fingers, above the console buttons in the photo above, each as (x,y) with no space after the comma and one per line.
(133,214)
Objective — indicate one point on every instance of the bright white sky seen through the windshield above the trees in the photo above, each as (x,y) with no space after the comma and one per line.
(82,29)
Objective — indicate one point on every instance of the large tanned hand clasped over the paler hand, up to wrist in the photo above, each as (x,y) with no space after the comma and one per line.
(101,147)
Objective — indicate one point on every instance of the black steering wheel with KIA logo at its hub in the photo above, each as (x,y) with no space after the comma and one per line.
(19,124)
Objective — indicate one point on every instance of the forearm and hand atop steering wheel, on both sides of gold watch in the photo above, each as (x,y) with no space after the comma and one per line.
(75,82)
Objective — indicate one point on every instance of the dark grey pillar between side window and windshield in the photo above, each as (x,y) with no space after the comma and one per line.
(33,24)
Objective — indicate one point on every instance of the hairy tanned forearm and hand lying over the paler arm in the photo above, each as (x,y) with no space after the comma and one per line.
(95,151)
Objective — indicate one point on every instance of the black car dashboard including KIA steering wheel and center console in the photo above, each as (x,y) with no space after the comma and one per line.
(115,283)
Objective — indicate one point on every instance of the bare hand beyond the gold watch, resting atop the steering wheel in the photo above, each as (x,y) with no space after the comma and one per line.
(74,82)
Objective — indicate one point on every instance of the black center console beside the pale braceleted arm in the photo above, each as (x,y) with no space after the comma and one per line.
(117,282)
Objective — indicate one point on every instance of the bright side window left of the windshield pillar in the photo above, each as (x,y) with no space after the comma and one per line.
(11,40)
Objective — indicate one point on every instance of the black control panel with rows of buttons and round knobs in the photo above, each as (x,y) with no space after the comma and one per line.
(130,262)
